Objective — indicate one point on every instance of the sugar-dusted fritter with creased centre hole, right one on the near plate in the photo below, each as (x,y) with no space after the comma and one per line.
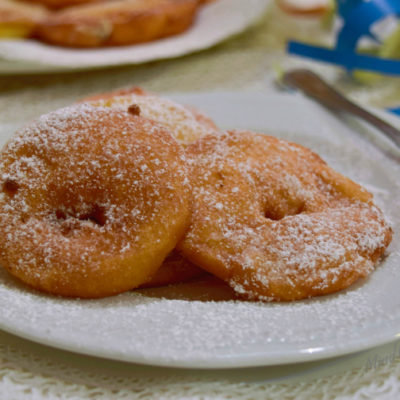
(275,221)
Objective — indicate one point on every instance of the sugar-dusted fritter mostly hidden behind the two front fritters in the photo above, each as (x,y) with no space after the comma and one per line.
(185,124)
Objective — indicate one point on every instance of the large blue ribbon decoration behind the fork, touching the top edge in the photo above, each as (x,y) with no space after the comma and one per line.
(358,17)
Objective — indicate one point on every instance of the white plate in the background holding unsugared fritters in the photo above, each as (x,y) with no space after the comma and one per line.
(216,22)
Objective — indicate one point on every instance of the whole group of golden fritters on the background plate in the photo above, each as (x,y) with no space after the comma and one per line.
(96,23)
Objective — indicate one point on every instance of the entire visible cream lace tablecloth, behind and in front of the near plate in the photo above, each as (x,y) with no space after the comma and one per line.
(247,62)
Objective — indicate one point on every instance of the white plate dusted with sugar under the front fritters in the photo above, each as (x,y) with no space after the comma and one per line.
(235,334)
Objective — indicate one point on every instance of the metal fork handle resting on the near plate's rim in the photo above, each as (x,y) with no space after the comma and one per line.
(313,86)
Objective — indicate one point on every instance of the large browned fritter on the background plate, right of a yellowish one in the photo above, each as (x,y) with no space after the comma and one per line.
(119,22)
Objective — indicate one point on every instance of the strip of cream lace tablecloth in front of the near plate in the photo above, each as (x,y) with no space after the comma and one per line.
(29,371)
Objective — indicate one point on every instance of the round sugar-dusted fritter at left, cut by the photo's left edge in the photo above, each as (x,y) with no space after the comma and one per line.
(92,201)
